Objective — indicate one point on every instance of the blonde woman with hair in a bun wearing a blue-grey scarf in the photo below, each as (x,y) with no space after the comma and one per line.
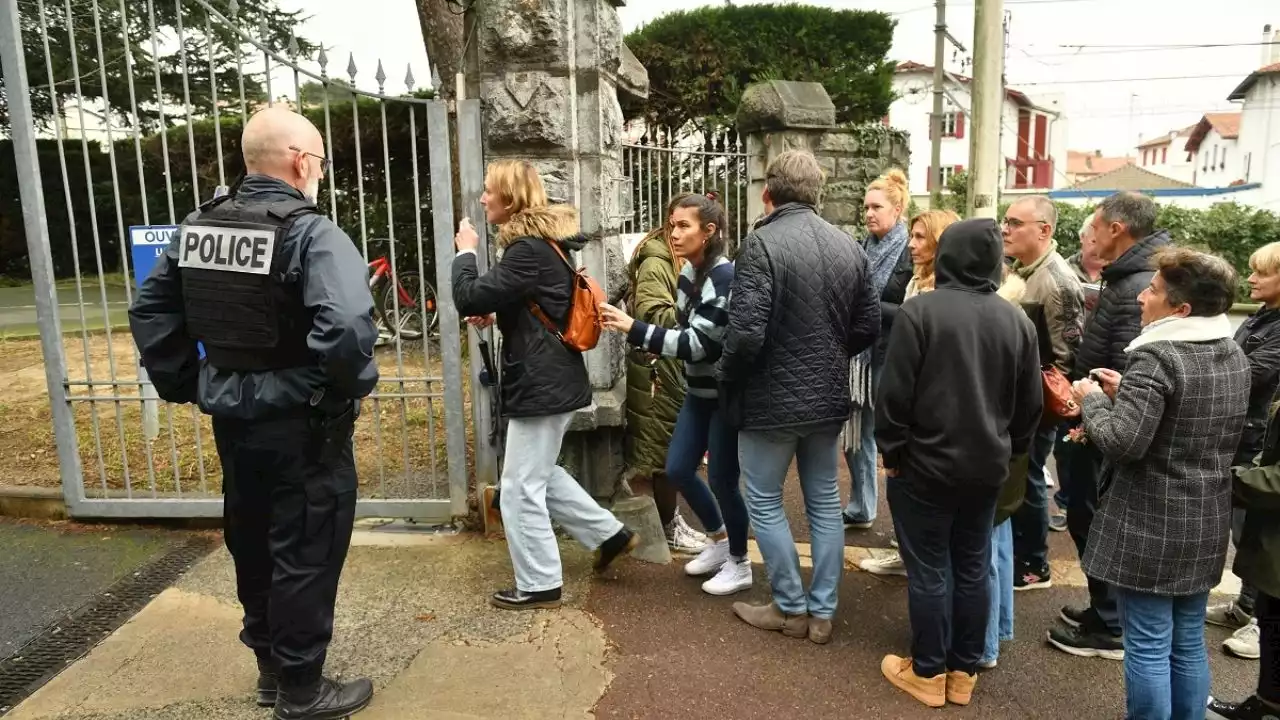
(890,263)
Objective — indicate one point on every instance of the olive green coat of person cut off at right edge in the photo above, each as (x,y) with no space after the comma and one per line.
(1258,490)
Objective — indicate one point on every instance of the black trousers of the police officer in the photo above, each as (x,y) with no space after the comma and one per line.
(290,490)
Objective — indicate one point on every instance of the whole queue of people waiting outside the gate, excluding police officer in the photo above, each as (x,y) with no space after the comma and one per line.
(954,356)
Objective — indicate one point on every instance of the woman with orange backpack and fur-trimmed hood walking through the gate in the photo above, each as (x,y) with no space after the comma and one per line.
(543,381)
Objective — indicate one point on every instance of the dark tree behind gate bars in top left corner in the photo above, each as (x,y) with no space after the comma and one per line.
(126,47)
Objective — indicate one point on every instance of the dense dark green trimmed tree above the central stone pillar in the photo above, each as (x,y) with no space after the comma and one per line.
(701,61)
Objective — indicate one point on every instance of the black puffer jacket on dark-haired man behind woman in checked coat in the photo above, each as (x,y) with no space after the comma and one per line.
(1118,318)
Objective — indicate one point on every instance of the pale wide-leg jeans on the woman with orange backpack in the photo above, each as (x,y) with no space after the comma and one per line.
(536,490)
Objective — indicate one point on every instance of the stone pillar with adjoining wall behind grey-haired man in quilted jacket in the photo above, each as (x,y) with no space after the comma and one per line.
(780,116)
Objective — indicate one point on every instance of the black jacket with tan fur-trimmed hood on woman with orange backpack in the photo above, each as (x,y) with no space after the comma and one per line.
(541,376)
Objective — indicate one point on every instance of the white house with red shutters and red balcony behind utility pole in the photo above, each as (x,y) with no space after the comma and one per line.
(1034,139)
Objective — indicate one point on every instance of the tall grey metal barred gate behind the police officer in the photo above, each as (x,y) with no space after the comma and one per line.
(139,149)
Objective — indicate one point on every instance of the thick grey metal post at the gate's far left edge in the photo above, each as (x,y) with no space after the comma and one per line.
(36,226)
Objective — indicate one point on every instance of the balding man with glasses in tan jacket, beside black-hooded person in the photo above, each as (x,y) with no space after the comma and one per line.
(1055,303)
